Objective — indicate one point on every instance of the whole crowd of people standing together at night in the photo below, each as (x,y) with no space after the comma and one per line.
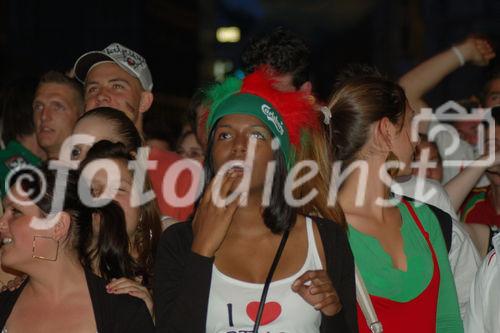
(272,211)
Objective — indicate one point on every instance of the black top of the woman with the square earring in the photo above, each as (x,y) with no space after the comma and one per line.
(113,313)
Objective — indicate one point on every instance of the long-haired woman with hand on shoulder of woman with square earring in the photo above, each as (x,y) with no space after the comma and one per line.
(143,224)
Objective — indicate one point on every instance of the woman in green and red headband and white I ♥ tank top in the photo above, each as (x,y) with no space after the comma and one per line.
(247,263)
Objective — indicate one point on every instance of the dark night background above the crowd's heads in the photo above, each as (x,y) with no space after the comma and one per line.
(177,37)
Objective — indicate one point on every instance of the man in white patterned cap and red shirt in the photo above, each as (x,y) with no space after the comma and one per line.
(119,78)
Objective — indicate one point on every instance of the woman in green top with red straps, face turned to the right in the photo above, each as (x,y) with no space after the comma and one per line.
(398,248)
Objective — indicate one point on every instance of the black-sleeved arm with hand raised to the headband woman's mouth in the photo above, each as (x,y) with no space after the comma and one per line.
(183,268)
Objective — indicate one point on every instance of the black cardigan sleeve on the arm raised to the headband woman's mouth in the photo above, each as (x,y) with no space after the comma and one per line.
(181,282)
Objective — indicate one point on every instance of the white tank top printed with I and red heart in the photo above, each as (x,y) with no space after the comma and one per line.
(233,304)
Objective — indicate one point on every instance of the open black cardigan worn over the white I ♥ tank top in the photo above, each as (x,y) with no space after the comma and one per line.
(182,281)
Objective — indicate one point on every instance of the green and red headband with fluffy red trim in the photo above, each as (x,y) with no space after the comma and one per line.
(286,114)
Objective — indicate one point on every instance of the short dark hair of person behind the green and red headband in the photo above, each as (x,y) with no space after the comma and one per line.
(284,51)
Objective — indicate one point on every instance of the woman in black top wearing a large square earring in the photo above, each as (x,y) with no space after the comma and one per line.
(44,233)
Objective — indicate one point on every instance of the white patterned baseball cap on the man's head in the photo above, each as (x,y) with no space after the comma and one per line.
(124,57)
